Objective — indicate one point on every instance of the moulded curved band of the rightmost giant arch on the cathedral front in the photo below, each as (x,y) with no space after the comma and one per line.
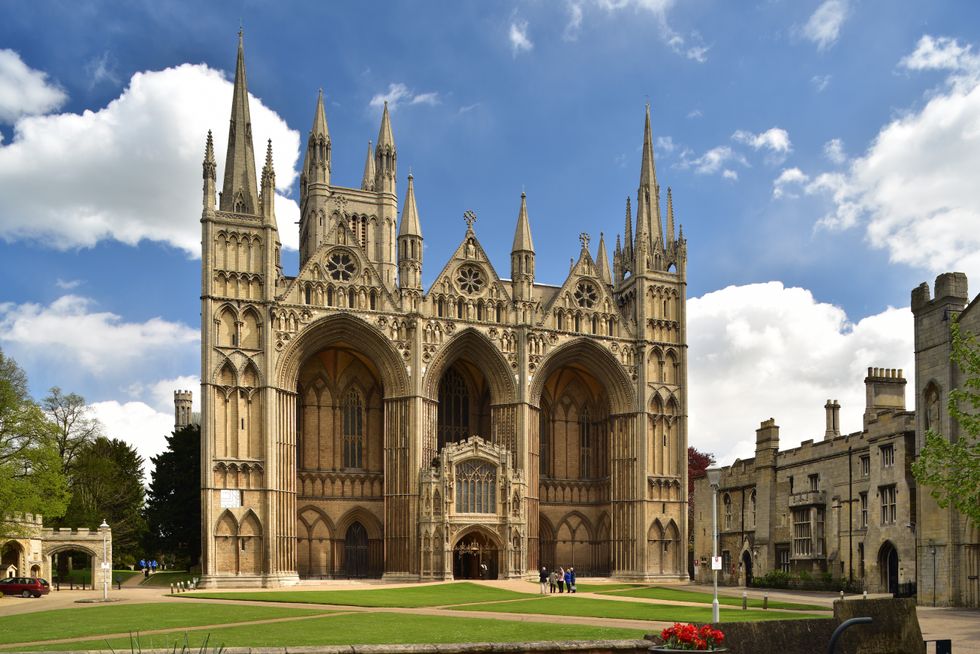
(599,362)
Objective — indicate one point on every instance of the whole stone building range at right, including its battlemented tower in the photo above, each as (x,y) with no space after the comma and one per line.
(848,505)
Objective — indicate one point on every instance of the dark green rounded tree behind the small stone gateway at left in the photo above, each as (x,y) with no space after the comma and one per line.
(107,484)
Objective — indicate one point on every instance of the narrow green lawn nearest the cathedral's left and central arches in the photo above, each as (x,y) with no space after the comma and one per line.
(409,596)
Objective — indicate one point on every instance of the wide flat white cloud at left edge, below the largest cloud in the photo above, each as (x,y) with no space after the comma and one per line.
(70,332)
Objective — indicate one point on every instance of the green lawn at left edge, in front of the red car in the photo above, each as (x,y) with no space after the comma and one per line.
(122,618)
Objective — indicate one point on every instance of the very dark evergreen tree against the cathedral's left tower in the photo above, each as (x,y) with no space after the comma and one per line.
(173,507)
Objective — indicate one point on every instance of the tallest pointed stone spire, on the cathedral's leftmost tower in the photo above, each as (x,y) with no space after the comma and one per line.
(239,191)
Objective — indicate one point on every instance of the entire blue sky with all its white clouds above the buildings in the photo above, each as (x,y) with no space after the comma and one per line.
(821,156)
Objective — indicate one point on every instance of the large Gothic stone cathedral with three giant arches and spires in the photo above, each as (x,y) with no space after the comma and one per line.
(358,424)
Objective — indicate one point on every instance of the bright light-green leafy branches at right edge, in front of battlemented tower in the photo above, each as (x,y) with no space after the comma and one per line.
(951,469)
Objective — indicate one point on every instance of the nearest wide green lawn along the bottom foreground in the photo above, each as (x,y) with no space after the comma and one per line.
(373,628)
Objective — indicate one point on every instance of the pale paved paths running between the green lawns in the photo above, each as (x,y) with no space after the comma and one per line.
(962,625)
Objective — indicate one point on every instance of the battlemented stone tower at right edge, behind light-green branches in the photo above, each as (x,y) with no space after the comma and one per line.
(948,543)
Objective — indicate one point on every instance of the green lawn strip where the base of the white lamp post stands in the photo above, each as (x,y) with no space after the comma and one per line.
(597,608)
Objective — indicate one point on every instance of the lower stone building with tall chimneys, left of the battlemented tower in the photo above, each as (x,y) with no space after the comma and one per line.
(843,506)
